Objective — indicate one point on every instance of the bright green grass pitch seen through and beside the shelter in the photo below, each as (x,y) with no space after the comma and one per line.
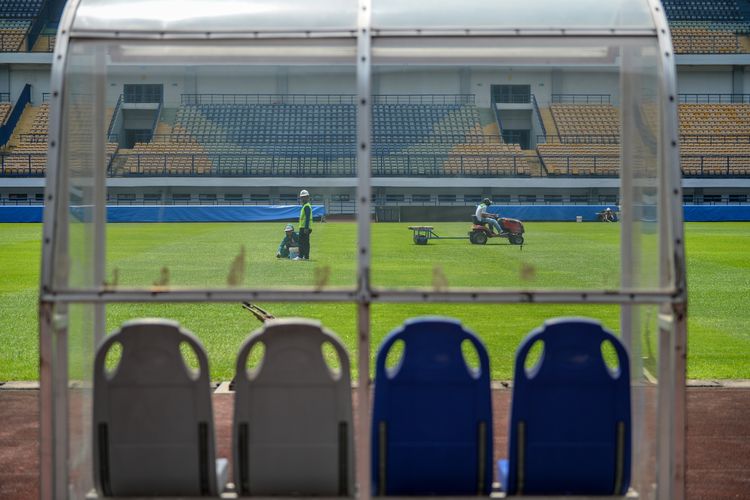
(556,255)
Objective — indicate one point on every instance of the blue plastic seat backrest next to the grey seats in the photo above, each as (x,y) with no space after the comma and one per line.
(432,414)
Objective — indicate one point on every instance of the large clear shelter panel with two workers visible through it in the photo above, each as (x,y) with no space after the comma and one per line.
(206,157)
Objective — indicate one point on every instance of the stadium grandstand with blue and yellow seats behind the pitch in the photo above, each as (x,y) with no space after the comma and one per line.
(548,126)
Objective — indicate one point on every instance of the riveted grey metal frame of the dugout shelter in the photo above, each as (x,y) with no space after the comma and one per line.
(56,294)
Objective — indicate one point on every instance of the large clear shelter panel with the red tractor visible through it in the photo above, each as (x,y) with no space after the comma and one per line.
(440,129)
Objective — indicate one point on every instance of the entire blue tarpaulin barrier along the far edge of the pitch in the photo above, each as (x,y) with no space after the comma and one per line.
(259,213)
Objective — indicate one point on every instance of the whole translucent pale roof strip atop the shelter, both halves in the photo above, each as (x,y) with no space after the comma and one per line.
(258,16)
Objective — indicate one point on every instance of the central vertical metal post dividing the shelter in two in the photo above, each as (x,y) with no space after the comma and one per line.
(364,108)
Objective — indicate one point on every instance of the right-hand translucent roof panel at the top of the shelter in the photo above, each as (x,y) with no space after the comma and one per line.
(534,14)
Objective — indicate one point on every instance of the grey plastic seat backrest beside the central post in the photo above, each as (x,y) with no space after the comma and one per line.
(293,431)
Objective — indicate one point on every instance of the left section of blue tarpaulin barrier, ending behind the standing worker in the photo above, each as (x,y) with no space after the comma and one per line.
(172,213)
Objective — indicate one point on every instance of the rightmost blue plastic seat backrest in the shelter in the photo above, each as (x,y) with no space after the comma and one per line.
(570,414)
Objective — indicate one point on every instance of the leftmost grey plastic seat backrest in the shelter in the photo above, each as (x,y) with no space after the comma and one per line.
(153,425)
